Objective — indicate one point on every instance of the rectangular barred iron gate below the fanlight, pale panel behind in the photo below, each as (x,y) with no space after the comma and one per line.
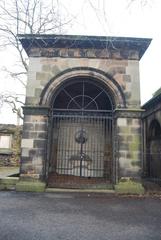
(82,146)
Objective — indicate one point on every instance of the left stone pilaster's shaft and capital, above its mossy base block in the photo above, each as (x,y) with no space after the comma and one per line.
(34,143)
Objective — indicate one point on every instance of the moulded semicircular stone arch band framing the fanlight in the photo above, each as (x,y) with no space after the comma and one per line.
(106,81)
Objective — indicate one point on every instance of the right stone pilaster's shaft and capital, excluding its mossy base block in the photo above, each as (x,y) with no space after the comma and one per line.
(129,143)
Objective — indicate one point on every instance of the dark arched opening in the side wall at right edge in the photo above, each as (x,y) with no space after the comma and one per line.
(154,149)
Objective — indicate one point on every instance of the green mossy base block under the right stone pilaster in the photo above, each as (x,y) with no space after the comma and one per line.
(128,186)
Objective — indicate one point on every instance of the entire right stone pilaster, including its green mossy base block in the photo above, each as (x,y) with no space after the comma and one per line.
(129,163)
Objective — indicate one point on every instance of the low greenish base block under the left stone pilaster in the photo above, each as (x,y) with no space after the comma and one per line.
(30,186)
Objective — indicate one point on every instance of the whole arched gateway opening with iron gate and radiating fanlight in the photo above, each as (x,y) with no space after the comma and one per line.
(82,134)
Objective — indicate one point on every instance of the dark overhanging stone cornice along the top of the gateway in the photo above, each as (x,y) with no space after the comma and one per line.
(125,47)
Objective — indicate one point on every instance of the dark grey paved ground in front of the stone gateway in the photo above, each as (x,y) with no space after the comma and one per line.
(43,216)
